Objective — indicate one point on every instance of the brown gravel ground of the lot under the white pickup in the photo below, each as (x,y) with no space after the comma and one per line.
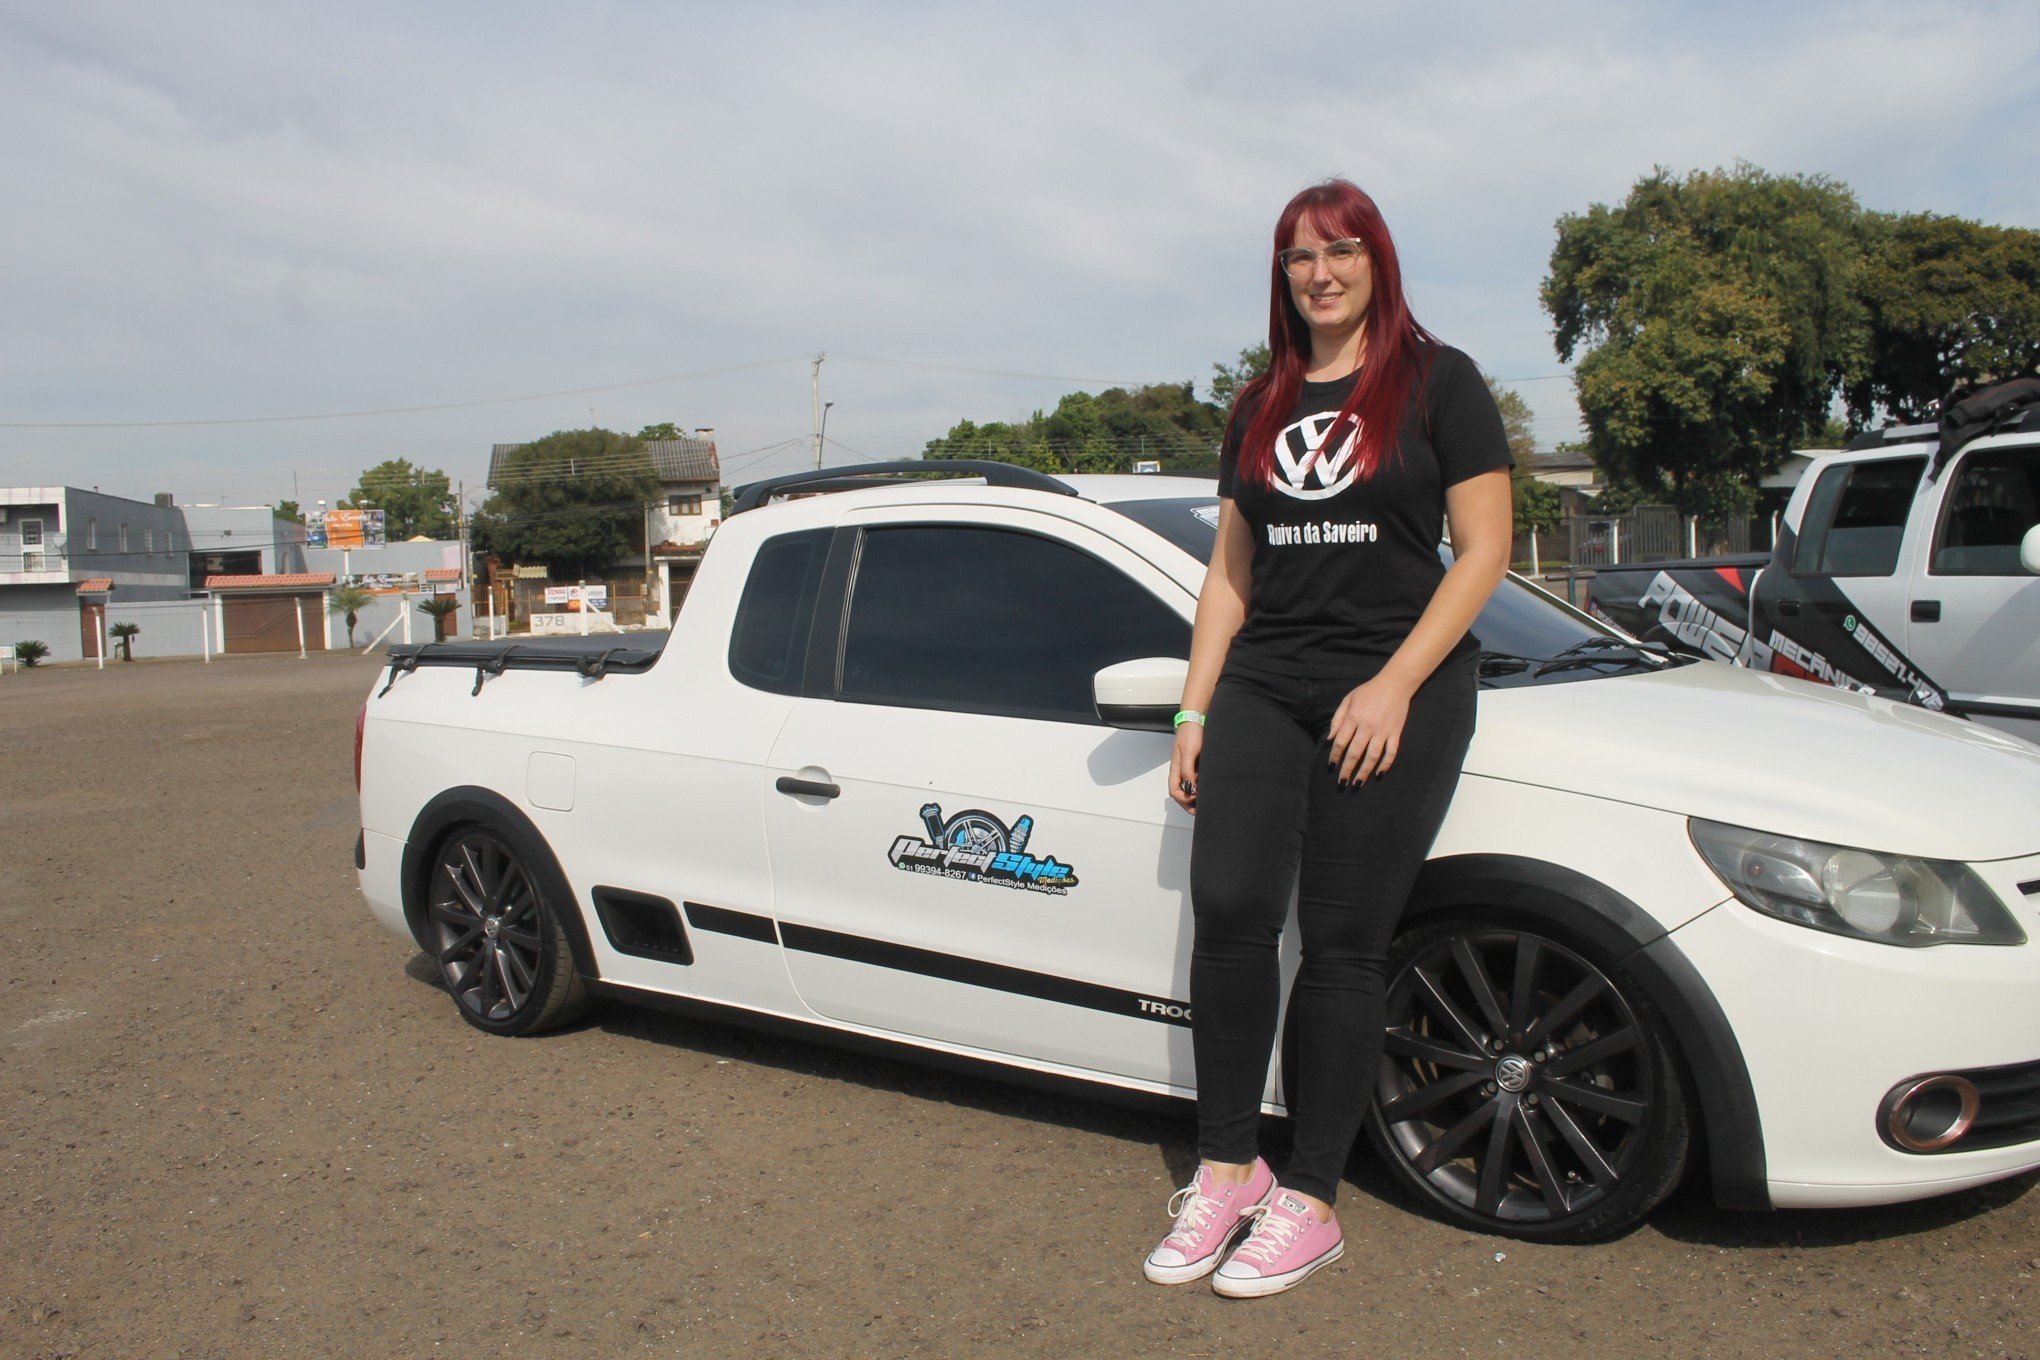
(238,1118)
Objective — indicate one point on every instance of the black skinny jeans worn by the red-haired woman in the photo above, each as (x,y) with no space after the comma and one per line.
(1270,817)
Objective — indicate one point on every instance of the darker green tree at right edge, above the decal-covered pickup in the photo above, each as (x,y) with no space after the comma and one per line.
(1951,303)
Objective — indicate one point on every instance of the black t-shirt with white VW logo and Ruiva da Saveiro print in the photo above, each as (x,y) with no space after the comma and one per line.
(1343,568)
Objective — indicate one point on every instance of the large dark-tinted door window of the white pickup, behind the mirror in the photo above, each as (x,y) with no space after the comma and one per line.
(992,621)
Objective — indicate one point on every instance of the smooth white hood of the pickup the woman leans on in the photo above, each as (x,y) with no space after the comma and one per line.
(1772,753)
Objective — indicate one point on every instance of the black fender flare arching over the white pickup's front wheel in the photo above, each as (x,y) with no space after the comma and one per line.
(1598,914)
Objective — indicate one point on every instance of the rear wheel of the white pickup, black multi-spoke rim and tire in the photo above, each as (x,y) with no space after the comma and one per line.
(499,943)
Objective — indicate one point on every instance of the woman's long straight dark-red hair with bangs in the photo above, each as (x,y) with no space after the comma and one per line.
(1394,360)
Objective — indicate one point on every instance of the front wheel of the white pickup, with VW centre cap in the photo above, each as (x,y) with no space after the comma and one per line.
(1555,1116)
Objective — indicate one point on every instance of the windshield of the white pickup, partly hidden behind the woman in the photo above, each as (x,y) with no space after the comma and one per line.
(1521,623)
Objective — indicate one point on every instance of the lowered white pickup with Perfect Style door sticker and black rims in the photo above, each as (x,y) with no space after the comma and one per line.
(899,778)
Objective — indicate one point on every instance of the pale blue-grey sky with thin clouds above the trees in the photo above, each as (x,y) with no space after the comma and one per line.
(252,250)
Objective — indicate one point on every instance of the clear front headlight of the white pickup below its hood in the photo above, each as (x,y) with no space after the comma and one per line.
(1886,898)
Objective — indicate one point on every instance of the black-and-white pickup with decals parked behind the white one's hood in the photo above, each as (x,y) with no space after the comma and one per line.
(1906,566)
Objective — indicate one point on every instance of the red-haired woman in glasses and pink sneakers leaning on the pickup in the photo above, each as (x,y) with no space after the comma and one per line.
(1325,719)
